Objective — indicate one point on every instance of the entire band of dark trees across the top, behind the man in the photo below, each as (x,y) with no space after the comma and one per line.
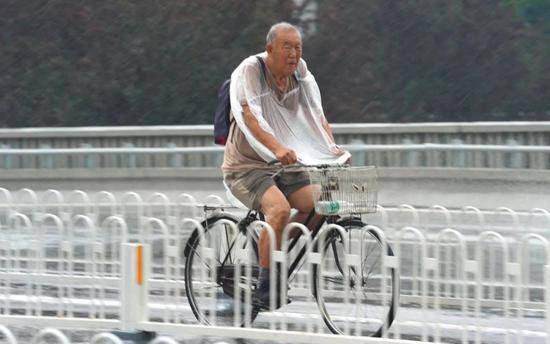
(119,62)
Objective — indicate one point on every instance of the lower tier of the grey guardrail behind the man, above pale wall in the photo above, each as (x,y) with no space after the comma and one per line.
(404,155)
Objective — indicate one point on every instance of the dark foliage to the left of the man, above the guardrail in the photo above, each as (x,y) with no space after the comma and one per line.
(122,62)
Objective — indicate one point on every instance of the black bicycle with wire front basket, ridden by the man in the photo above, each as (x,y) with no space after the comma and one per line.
(342,190)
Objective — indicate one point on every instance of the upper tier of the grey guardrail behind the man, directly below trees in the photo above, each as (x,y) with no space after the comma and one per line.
(496,133)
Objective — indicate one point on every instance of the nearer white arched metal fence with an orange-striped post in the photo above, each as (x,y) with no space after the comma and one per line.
(454,287)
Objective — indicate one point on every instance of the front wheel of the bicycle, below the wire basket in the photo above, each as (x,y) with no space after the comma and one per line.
(370,307)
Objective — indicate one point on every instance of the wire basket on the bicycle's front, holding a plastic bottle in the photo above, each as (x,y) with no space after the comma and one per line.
(344,190)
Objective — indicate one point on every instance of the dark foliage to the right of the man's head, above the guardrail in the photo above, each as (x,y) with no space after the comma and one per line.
(428,61)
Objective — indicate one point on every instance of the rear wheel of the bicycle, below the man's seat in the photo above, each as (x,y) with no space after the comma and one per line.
(210,281)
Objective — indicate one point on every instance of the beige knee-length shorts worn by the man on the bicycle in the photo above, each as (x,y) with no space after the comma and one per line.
(250,186)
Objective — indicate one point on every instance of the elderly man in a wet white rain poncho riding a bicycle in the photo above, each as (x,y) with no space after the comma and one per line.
(278,115)
